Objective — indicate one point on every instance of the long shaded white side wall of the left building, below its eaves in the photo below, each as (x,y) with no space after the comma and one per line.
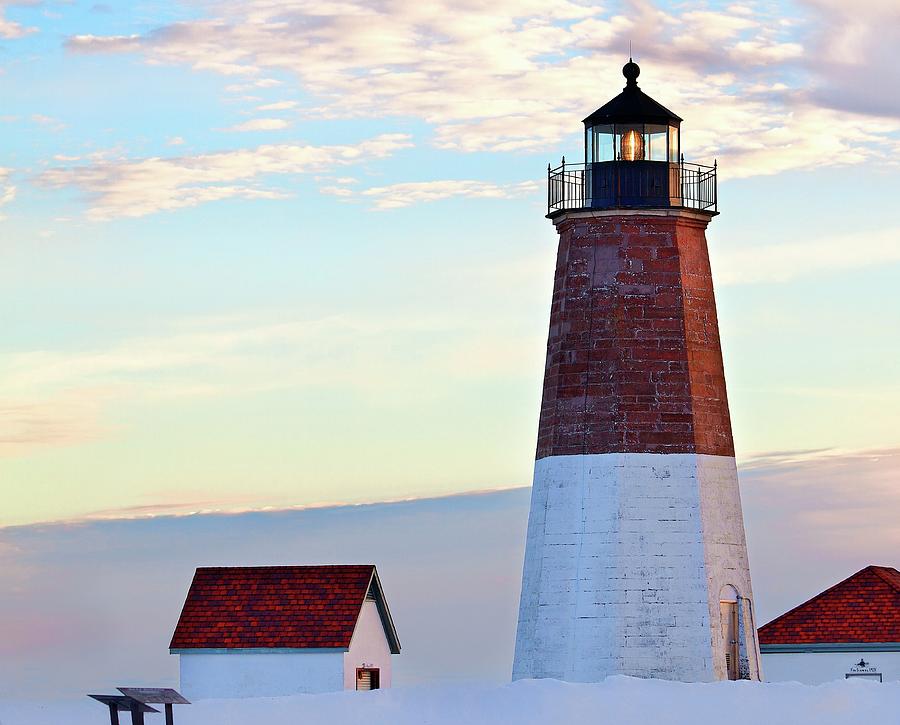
(237,674)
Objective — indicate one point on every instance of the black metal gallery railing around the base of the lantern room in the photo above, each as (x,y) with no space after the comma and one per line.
(631,184)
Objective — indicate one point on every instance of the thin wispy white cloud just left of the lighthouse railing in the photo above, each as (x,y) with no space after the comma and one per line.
(396,196)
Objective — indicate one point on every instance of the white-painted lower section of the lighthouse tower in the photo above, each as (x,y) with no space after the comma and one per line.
(626,556)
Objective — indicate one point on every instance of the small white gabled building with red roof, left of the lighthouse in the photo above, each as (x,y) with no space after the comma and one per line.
(267,631)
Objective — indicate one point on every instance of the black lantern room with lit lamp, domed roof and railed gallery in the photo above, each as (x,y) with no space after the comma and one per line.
(632,159)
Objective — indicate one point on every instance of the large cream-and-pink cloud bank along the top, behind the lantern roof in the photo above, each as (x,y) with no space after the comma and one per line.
(546,65)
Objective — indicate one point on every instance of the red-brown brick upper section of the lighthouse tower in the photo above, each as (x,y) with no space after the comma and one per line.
(633,356)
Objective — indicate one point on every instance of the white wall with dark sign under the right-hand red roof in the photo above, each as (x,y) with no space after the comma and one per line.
(815,668)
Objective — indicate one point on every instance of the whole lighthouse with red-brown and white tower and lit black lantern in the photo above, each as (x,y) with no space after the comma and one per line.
(635,558)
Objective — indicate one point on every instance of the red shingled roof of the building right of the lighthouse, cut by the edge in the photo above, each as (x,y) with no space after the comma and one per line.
(863,608)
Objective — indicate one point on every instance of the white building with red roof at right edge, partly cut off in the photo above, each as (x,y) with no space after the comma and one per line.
(851,630)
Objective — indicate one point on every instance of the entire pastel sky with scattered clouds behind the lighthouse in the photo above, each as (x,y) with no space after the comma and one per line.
(264,261)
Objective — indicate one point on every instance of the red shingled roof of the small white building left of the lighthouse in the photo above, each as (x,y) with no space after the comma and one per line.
(275,606)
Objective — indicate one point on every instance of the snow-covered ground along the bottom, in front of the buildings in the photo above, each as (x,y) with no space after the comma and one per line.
(618,700)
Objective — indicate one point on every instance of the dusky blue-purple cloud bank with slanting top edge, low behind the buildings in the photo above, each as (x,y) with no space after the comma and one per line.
(91,605)
